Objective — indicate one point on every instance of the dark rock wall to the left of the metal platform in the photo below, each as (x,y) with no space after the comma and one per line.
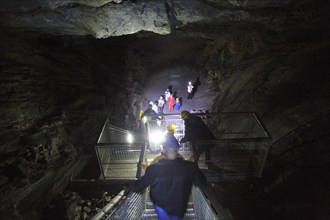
(55,95)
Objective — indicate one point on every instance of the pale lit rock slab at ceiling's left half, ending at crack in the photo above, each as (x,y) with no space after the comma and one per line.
(101,20)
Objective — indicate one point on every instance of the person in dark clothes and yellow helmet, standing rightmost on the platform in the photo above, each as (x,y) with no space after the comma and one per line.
(195,129)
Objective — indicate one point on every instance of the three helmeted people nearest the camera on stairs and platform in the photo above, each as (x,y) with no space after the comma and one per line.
(170,173)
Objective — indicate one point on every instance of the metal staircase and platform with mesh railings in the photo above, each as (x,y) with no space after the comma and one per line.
(240,150)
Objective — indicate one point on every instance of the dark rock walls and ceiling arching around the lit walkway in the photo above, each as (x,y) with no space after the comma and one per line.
(266,56)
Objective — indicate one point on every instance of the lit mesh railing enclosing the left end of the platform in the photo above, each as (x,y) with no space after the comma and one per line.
(118,152)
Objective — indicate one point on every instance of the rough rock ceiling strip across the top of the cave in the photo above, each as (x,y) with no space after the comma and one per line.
(106,18)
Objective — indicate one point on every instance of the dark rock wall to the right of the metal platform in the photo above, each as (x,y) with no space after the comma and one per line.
(287,83)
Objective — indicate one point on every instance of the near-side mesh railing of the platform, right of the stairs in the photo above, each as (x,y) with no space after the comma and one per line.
(233,160)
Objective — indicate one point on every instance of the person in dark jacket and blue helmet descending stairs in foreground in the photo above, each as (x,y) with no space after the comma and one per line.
(170,182)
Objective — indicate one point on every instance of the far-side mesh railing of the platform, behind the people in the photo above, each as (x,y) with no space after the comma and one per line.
(232,126)
